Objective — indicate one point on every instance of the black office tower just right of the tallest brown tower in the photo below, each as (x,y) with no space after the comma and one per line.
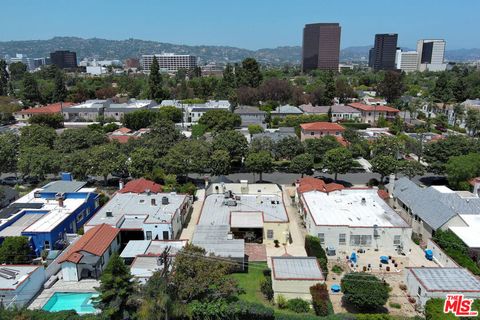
(384,51)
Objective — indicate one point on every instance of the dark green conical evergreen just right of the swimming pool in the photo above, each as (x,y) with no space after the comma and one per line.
(117,289)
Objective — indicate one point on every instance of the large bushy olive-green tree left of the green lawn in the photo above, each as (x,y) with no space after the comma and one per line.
(196,276)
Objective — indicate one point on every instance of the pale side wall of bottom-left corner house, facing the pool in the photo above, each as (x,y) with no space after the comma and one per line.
(26,290)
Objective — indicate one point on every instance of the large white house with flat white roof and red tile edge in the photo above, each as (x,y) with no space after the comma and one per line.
(348,219)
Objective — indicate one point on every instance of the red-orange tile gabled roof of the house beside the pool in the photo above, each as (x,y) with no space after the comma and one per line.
(95,241)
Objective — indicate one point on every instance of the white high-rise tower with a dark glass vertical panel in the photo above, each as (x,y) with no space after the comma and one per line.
(431,54)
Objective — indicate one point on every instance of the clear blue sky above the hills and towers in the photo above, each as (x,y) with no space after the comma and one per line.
(250,24)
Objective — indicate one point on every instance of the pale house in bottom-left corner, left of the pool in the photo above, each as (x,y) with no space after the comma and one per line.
(19,284)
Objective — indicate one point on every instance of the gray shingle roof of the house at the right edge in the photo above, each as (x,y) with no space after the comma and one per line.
(432,206)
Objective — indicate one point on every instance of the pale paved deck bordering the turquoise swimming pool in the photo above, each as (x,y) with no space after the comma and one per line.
(86,285)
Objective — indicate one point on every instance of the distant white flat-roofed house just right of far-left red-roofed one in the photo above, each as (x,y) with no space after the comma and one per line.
(87,111)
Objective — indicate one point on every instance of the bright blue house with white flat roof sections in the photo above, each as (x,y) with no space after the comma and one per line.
(45,215)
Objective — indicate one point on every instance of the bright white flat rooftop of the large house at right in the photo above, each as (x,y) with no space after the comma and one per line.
(351,207)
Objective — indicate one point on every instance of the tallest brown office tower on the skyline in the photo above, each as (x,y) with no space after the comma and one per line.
(321,46)
